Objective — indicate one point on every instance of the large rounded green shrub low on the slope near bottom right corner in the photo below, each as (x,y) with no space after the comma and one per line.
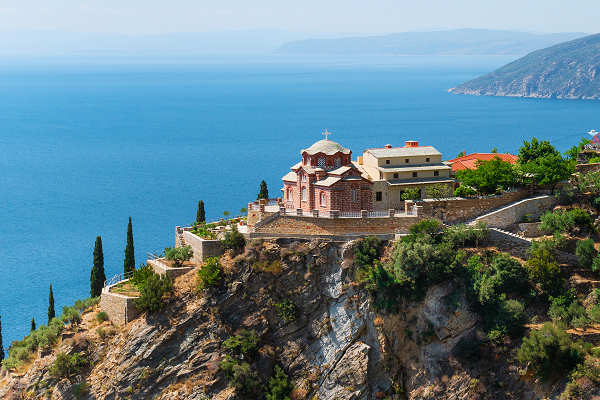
(550,351)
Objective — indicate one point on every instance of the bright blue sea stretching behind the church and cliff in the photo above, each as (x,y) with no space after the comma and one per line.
(84,145)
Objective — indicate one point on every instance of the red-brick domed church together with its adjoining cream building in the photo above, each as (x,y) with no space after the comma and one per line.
(327,179)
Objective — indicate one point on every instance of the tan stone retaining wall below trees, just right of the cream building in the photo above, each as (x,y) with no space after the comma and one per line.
(464,209)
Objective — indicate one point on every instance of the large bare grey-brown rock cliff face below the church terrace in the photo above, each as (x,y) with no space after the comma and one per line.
(337,348)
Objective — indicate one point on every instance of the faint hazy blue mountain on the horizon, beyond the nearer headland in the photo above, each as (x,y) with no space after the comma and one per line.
(451,42)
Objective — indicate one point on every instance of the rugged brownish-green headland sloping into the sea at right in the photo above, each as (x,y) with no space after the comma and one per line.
(568,70)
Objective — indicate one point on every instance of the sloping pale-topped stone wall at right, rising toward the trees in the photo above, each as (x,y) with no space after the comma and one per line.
(514,213)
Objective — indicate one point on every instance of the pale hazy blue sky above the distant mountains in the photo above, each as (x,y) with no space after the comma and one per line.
(308,16)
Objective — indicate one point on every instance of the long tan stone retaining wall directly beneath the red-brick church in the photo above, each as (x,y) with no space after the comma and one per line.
(290,225)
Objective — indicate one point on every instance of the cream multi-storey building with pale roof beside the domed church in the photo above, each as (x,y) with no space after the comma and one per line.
(394,170)
